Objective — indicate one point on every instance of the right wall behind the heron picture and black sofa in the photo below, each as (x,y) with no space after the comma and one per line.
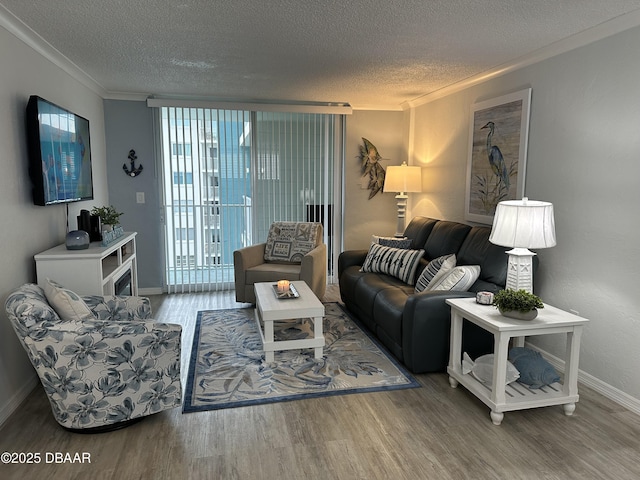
(584,157)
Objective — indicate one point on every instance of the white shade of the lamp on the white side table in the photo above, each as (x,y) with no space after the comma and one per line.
(524,224)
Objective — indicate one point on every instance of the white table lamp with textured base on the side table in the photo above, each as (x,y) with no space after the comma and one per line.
(523,224)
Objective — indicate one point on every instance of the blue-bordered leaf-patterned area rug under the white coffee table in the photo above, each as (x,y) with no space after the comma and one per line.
(227,367)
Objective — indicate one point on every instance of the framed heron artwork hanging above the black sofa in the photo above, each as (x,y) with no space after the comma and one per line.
(497,161)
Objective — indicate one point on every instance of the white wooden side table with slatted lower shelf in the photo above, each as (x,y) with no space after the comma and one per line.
(515,396)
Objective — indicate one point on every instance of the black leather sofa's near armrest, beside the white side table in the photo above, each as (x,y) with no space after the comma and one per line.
(426,325)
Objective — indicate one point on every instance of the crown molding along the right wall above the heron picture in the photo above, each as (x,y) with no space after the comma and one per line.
(593,34)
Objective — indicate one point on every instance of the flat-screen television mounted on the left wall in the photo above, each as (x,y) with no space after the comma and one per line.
(59,154)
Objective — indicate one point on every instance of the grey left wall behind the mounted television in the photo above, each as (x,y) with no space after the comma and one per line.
(28,229)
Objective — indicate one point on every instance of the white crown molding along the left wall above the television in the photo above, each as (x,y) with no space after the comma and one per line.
(31,38)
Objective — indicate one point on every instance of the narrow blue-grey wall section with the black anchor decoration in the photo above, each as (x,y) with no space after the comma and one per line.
(129,126)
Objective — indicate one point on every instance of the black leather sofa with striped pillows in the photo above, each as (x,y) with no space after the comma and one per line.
(415,326)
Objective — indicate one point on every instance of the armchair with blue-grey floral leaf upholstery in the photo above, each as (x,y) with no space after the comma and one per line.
(103,371)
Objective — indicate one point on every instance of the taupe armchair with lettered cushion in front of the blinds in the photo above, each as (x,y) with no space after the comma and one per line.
(293,251)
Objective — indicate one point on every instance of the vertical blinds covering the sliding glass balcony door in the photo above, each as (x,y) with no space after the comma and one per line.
(228,174)
